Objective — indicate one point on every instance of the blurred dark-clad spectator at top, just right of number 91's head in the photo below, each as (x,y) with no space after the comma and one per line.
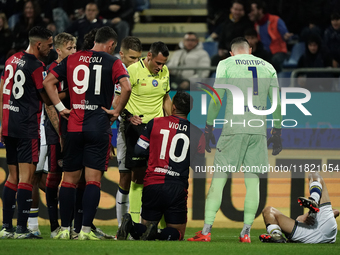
(119,14)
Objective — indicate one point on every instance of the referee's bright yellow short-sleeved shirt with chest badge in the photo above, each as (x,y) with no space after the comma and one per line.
(148,91)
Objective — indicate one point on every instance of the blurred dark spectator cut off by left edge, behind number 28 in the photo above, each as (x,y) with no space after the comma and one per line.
(6,38)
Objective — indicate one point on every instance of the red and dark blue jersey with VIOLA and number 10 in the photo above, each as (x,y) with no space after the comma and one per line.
(172,142)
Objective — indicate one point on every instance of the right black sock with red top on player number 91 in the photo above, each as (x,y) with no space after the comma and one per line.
(90,202)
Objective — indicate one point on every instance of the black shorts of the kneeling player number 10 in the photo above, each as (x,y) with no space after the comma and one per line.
(169,200)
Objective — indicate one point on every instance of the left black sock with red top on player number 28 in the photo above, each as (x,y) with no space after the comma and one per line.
(8,204)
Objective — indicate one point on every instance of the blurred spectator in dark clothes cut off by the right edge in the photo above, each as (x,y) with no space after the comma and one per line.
(332,38)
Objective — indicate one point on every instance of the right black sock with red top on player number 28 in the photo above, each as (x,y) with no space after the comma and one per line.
(24,200)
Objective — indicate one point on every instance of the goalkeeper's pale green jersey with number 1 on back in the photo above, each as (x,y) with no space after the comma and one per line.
(247,71)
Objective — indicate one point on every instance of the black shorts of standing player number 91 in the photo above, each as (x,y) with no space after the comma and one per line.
(86,149)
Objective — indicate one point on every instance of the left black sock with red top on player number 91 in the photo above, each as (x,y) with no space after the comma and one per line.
(67,197)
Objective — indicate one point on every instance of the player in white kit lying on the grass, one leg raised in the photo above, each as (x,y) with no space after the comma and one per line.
(316,226)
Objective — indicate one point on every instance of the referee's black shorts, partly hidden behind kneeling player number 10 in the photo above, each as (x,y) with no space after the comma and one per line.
(132,133)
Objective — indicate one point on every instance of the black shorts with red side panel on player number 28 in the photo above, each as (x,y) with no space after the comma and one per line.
(21,150)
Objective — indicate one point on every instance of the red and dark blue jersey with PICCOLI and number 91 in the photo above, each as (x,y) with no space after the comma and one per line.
(91,77)
